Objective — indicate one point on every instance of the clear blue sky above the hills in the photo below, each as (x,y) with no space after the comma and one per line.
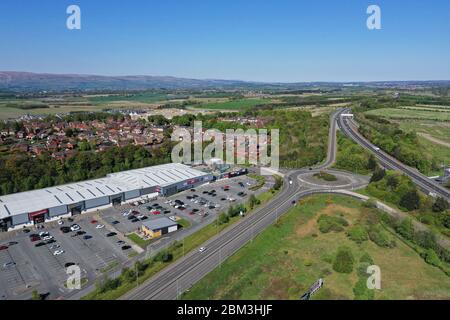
(262,40)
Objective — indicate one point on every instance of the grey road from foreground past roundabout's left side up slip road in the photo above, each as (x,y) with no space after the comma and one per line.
(182,274)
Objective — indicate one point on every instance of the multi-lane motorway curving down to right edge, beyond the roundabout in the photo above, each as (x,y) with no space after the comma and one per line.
(425,184)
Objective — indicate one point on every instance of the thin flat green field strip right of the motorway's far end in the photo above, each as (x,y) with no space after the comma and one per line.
(397,113)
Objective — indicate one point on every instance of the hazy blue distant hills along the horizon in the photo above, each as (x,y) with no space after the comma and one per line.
(27,81)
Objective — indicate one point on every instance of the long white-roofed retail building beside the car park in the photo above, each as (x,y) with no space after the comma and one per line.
(38,206)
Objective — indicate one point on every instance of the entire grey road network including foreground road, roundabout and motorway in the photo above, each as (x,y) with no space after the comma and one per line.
(180,276)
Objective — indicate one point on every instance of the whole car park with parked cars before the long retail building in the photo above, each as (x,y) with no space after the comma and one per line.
(99,244)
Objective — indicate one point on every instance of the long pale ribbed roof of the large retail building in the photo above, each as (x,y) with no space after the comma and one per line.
(113,184)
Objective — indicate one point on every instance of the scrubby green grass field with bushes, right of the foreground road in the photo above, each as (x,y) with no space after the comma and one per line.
(288,257)
